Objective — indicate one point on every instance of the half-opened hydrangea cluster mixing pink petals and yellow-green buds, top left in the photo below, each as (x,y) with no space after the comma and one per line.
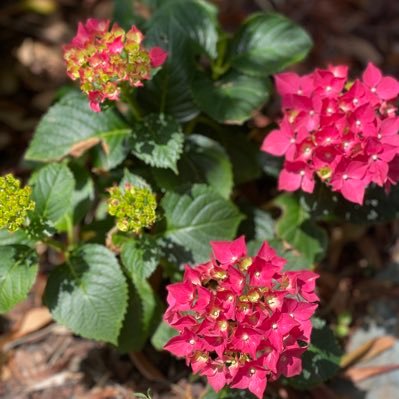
(103,58)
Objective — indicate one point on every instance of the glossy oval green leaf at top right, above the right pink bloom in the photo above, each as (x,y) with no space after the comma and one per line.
(268,43)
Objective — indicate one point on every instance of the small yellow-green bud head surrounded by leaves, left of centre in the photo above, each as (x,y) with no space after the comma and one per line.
(134,207)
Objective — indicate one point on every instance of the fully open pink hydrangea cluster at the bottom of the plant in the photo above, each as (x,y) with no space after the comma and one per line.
(242,321)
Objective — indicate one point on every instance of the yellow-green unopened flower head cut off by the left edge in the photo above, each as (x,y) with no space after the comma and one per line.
(15,203)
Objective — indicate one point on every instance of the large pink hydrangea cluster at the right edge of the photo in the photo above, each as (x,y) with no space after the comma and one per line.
(342,131)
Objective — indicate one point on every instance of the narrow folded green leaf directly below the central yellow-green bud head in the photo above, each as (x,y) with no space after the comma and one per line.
(140,258)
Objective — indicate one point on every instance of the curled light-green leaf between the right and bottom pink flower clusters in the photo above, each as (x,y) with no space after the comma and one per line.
(295,227)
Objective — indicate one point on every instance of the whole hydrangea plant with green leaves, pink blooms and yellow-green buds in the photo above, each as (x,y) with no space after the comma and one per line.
(141,169)
